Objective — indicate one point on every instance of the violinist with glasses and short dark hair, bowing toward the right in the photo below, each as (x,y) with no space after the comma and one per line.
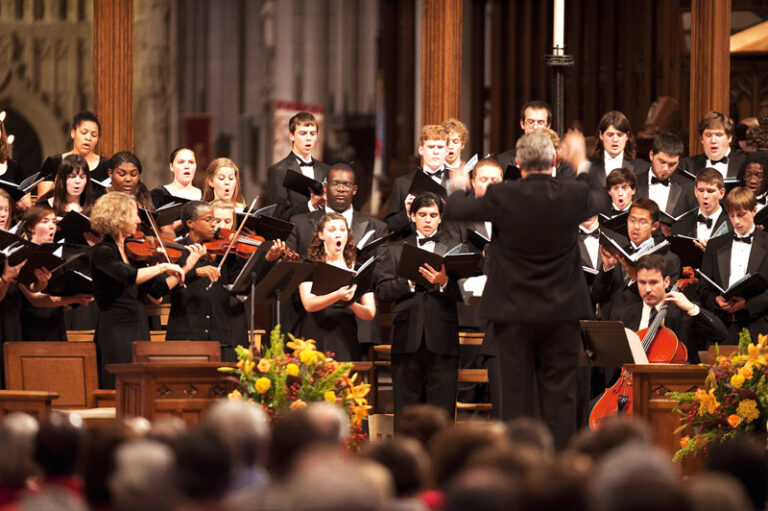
(200,312)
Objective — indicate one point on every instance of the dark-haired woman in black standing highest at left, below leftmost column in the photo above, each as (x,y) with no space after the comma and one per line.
(85,135)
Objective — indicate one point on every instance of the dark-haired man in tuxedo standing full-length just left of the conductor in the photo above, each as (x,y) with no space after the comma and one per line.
(425,333)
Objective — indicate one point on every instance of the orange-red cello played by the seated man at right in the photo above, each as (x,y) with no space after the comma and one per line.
(661,347)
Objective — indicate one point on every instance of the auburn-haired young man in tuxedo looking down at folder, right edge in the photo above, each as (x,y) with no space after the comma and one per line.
(729,258)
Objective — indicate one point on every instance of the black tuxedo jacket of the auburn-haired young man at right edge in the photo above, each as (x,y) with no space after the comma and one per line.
(717,266)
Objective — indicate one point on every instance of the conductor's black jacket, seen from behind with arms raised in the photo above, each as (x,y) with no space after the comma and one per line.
(536,273)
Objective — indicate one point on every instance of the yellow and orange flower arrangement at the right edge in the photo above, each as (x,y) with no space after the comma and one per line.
(734,399)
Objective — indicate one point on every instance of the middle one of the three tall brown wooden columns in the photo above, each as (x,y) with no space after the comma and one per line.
(441,60)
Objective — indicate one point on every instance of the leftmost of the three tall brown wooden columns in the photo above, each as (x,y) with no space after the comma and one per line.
(113,74)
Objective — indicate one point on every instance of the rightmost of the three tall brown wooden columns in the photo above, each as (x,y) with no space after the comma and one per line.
(710,62)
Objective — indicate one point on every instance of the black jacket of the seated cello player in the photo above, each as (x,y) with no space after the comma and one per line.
(696,332)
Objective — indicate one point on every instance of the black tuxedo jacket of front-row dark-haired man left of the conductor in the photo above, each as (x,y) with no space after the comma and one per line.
(426,313)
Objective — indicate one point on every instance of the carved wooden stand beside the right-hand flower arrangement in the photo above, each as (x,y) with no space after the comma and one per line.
(650,385)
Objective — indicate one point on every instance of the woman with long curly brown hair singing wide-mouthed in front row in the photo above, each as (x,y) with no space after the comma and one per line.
(328,319)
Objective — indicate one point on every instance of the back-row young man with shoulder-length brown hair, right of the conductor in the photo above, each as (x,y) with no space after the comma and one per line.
(615,147)
